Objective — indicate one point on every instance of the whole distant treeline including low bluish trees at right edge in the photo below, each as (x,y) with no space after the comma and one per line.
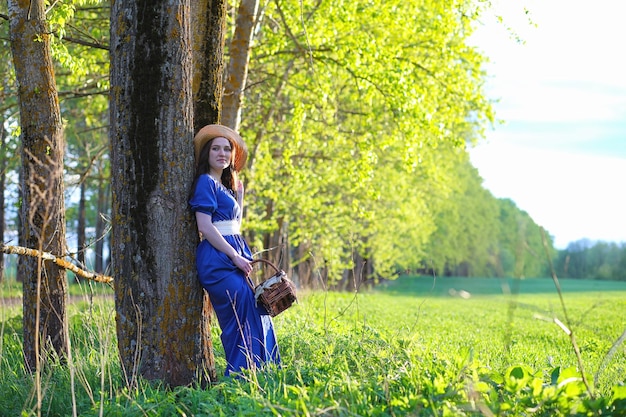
(478,235)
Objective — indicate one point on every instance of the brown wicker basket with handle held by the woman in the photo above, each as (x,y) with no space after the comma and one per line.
(277,293)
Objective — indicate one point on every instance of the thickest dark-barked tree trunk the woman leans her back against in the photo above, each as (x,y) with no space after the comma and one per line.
(157,294)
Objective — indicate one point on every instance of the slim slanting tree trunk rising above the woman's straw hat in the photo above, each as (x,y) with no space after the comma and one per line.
(237,72)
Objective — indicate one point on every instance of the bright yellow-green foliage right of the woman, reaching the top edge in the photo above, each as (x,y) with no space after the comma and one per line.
(358,116)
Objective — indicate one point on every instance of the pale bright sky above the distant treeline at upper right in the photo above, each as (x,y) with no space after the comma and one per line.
(558,73)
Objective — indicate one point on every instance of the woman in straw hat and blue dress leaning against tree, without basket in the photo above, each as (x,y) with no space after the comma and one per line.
(223,256)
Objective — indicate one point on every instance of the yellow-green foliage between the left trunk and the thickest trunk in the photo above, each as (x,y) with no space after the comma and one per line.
(82,55)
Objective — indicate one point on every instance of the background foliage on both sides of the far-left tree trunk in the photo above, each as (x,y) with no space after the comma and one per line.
(80,30)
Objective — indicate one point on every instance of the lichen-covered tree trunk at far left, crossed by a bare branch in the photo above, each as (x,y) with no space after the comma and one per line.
(43,208)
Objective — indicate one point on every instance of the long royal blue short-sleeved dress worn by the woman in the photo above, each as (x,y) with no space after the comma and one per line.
(247,331)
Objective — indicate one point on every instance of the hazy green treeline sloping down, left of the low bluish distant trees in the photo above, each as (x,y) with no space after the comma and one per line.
(478,235)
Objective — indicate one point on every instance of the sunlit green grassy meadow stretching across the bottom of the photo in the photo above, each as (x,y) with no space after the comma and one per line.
(415,346)
